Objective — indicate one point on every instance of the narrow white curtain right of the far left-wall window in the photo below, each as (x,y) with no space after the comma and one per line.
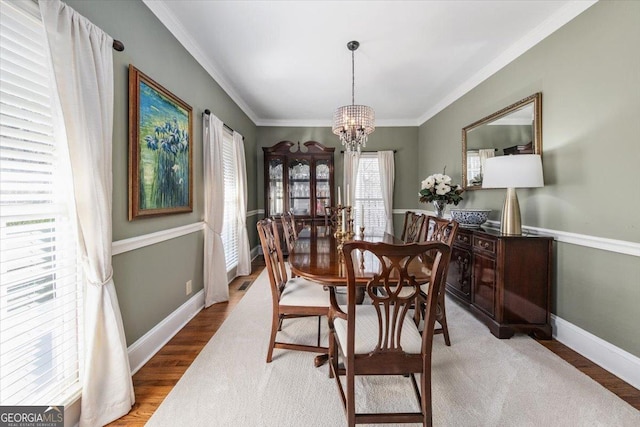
(244,251)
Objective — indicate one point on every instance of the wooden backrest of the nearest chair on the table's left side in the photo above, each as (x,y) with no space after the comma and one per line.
(270,241)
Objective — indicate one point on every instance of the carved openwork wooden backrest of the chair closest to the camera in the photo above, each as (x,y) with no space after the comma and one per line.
(399,267)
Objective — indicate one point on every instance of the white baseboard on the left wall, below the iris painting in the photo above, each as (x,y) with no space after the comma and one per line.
(150,343)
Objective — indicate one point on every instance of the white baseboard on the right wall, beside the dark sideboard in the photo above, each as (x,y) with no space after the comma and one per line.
(622,364)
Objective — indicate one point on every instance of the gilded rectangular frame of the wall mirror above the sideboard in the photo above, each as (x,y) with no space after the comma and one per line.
(536,100)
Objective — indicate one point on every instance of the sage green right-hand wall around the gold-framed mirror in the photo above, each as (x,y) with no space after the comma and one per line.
(589,75)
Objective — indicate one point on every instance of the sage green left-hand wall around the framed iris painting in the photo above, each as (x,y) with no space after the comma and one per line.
(150,281)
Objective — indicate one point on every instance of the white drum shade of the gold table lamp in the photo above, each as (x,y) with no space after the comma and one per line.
(515,171)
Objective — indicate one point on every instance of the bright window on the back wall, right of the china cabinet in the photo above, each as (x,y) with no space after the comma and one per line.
(369,194)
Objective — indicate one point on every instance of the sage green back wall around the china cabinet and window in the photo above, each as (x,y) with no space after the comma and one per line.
(401,139)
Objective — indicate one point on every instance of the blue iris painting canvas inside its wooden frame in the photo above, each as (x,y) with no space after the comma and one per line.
(164,151)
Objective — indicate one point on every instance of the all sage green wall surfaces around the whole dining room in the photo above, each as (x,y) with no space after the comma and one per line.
(588,72)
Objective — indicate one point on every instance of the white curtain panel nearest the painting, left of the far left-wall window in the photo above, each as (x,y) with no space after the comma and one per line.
(216,288)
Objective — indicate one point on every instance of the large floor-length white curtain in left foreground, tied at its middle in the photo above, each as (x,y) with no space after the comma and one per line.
(81,56)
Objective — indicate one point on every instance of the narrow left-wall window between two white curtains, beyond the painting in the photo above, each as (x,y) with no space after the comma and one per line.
(230,223)
